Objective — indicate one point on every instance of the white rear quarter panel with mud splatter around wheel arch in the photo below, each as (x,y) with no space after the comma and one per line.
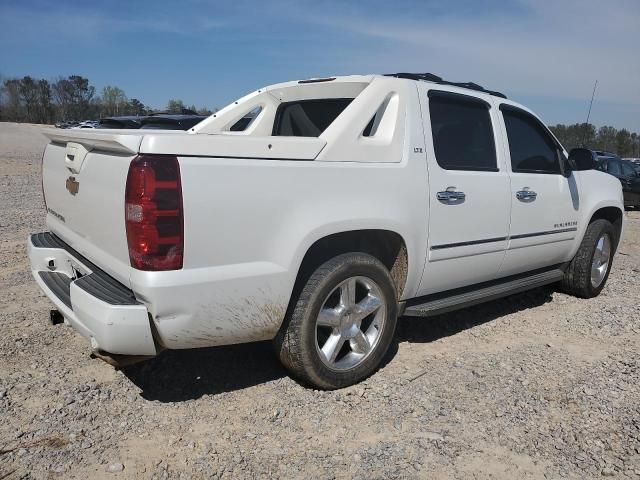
(248,224)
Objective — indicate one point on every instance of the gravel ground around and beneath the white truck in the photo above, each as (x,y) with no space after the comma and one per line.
(539,385)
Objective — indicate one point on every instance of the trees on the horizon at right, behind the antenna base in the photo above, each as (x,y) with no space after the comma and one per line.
(609,139)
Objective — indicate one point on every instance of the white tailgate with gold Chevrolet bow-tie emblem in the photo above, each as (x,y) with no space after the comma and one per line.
(84,176)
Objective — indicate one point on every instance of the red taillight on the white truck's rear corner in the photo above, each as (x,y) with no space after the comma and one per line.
(153,213)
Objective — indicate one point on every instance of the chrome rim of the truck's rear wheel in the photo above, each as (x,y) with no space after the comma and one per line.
(350,323)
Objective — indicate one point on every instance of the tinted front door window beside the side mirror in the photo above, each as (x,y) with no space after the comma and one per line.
(532,148)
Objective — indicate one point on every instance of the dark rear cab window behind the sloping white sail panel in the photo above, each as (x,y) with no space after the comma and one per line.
(307,118)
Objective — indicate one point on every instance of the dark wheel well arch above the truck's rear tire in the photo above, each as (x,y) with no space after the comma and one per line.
(385,245)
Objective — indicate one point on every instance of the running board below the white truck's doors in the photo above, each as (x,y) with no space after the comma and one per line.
(442,303)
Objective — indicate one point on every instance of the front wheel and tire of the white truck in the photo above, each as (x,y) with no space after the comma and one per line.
(589,270)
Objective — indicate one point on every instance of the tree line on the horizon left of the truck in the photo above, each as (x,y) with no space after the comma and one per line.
(72,98)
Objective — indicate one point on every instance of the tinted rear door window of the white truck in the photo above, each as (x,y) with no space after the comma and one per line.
(462,132)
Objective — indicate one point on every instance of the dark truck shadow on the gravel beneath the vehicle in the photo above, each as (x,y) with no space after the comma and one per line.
(182,375)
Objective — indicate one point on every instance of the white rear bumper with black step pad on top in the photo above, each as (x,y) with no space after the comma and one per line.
(93,303)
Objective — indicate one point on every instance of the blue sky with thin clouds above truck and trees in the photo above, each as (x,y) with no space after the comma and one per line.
(545,54)
